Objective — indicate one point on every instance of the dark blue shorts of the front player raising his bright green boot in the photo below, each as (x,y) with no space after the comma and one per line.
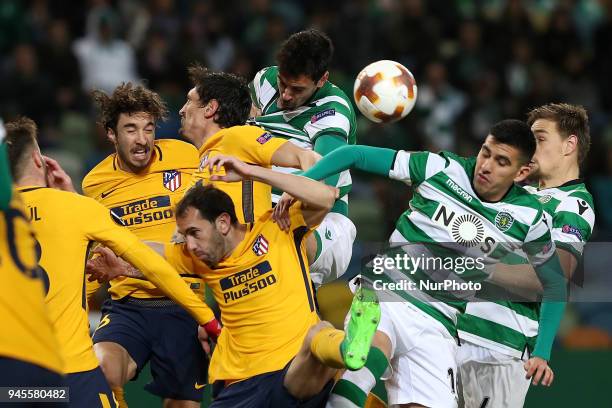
(266,391)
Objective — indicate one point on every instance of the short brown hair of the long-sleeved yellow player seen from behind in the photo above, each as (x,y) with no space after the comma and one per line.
(20,139)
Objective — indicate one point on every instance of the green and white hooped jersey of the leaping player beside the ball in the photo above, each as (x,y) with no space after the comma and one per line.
(329,111)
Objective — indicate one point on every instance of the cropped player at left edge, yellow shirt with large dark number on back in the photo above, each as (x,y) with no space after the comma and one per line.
(28,346)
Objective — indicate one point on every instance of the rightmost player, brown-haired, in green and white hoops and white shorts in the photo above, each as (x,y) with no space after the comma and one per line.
(498,337)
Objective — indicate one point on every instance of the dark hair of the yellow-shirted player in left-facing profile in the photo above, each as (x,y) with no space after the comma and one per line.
(229,90)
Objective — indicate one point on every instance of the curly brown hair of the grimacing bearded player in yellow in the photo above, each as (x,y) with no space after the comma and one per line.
(128,98)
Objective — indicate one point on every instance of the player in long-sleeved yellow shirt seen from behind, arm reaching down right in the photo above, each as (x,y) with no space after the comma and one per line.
(66,224)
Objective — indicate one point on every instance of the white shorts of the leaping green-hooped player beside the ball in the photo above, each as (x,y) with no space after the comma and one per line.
(333,241)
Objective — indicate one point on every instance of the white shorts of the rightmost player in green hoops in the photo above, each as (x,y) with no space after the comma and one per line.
(490,379)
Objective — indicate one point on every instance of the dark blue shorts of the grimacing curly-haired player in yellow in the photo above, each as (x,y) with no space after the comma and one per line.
(162,333)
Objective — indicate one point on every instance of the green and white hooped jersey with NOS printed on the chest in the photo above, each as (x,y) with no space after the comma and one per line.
(446,209)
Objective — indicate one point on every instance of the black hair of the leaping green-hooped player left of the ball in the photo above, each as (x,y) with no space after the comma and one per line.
(307,53)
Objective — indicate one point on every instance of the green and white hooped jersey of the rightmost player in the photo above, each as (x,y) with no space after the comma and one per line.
(510,327)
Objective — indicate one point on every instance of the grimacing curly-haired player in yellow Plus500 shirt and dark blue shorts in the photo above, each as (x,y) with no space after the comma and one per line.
(141,182)
